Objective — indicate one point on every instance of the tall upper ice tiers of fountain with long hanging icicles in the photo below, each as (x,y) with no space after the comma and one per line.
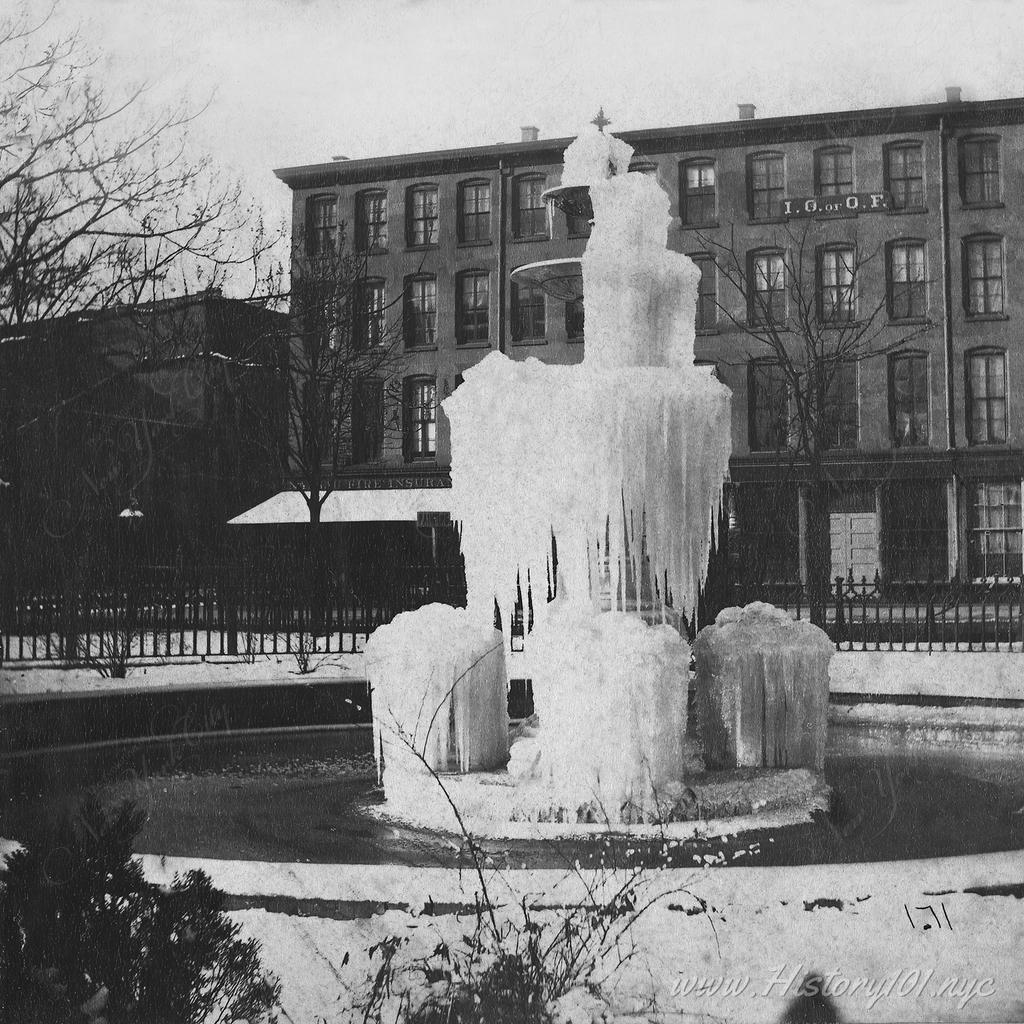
(633,444)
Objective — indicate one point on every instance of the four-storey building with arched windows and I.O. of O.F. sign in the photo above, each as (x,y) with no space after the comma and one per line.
(910,219)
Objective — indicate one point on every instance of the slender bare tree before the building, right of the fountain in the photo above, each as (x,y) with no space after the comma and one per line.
(809,323)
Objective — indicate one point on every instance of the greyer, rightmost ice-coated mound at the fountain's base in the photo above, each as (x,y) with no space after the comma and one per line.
(763,690)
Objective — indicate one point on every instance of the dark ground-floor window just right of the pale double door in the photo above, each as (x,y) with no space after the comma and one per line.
(916,535)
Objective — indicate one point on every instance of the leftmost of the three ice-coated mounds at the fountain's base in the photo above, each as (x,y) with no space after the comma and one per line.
(440,694)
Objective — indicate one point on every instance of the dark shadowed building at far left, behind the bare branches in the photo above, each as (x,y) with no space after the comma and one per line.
(165,412)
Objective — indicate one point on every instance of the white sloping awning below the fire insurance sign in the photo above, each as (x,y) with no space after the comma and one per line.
(377,505)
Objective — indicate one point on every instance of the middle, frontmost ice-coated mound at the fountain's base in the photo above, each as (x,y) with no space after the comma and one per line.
(611,694)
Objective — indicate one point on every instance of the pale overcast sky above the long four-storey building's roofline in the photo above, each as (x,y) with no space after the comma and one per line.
(298,81)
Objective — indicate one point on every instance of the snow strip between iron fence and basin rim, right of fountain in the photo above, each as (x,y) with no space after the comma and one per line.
(998,675)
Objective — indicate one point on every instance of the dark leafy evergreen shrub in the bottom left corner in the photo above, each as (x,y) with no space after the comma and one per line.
(83,936)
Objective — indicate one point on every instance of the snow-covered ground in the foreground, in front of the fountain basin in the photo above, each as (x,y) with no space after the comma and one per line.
(764,930)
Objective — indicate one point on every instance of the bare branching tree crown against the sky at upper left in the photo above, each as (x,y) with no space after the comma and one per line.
(101,202)
